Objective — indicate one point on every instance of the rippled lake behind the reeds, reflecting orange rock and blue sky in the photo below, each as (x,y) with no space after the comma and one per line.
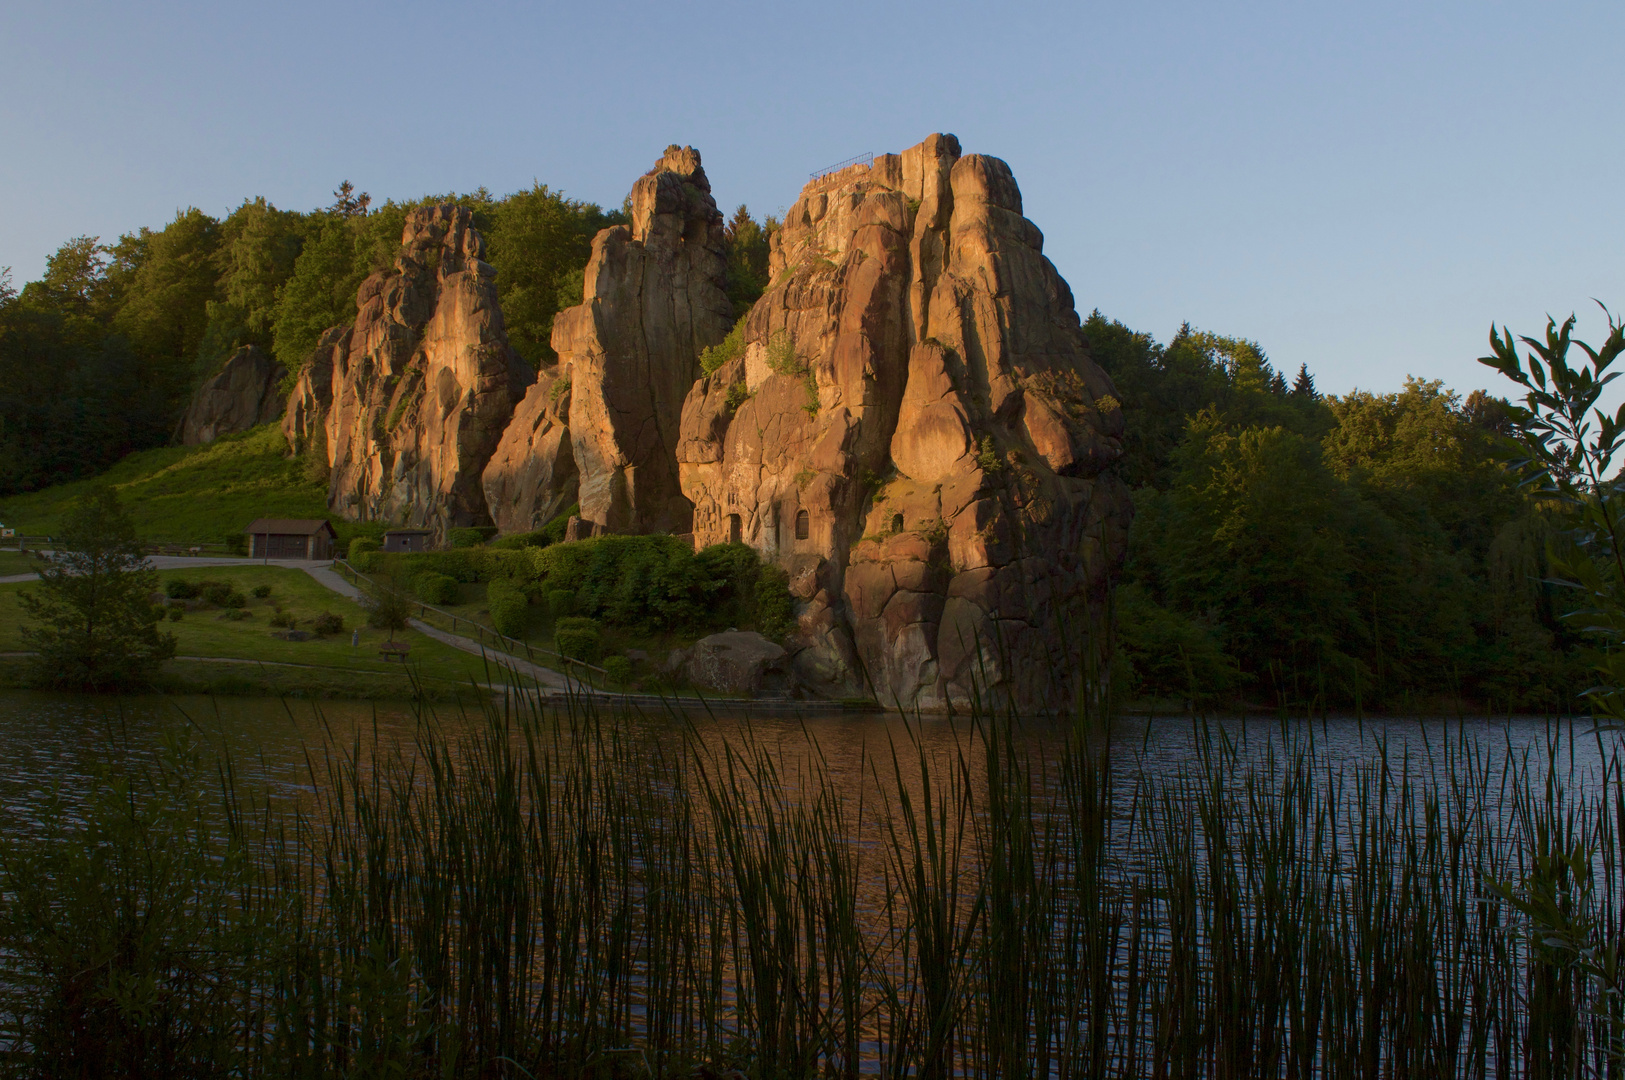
(860,894)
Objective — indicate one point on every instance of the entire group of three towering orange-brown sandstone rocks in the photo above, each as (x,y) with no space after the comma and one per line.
(912,426)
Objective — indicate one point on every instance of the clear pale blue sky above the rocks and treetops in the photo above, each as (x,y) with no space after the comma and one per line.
(1363,188)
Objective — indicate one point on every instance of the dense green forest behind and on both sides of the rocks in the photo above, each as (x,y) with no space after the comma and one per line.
(1289,548)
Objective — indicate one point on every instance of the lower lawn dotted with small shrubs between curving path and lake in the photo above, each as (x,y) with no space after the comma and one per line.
(332,662)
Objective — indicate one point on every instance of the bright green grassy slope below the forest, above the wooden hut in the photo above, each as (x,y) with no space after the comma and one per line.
(191,495)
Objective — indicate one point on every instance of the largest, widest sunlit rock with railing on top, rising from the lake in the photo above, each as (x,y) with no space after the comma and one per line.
(917,434)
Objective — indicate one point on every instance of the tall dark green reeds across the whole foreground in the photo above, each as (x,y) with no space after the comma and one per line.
(527,892)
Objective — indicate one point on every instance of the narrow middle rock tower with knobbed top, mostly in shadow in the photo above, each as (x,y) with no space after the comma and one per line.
(656,300)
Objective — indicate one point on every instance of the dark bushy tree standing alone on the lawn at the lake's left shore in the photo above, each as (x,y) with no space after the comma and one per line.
(93,626)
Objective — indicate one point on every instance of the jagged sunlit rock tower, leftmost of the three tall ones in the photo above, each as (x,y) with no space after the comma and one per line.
(422,389)
